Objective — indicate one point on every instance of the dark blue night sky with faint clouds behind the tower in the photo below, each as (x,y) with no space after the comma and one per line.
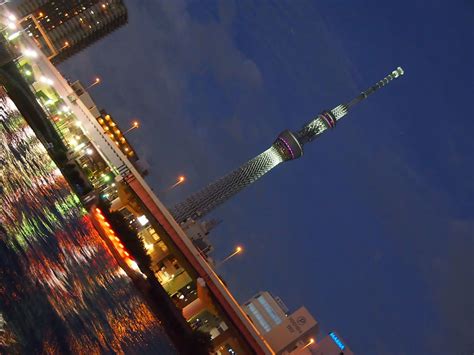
(372,229)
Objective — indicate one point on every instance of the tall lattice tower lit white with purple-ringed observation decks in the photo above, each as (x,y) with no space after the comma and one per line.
(287,146)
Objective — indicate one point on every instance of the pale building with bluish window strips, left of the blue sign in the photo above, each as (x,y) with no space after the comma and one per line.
(285,333)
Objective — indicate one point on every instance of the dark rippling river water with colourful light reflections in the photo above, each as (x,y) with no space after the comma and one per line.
(60,290)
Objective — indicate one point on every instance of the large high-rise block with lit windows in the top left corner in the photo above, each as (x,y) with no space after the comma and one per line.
(62,28)
